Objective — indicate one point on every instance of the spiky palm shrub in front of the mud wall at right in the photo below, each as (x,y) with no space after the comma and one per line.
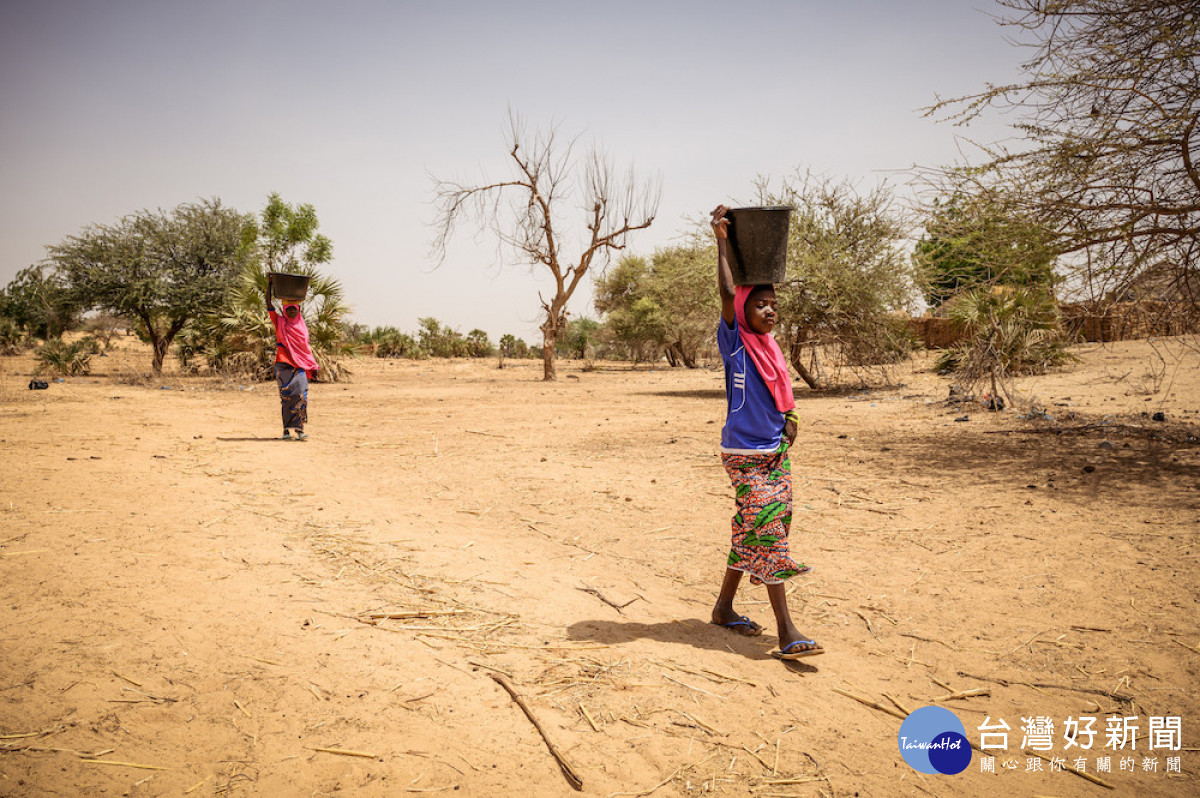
(1010,331)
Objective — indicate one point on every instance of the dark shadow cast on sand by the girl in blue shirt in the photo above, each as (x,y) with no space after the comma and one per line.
(689,632)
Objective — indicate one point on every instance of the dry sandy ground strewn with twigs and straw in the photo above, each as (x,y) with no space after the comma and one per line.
(191,607)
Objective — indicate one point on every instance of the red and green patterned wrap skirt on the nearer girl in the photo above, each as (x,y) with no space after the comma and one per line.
(764,489)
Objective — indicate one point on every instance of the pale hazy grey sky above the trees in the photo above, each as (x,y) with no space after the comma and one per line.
(111,107)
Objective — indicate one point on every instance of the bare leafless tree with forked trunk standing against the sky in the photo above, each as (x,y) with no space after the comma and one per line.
(526,215)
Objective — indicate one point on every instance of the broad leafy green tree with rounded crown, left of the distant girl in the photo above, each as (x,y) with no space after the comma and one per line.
(160,269)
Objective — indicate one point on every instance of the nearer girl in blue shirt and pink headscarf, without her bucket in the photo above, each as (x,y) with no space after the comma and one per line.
(760,427)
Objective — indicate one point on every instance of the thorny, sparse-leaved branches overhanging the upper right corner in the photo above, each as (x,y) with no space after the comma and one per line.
(1112,135)
